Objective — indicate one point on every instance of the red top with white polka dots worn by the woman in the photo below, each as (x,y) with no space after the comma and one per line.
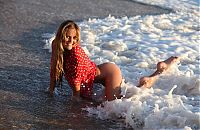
(78,68)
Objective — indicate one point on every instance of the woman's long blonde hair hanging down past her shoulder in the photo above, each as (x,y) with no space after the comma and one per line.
(57,63)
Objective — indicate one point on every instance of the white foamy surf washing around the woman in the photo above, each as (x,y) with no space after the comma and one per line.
(136,44)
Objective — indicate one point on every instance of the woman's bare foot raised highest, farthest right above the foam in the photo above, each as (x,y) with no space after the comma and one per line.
(164,65)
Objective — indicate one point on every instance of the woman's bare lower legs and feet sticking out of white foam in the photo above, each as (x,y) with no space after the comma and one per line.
(162,66)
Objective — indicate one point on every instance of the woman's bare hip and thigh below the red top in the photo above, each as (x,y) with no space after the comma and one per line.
(110,76)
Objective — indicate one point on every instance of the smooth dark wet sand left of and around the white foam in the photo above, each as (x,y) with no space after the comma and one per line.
(24,64)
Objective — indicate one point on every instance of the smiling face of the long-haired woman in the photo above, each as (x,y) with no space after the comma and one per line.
(70,39)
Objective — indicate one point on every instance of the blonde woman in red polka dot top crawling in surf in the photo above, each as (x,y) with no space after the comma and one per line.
(69,58)
